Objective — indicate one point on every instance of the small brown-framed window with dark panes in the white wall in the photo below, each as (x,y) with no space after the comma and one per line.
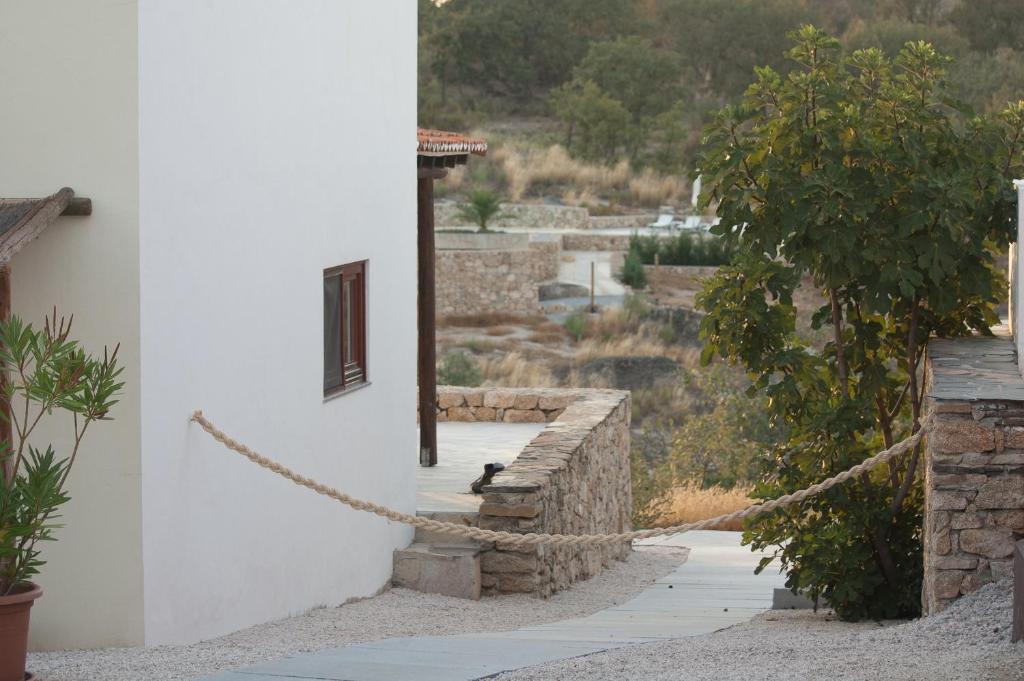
(345,327)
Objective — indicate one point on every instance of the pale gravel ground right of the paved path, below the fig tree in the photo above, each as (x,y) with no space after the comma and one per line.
(968,643)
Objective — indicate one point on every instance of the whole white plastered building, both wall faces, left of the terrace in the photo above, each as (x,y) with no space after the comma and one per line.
(236,153)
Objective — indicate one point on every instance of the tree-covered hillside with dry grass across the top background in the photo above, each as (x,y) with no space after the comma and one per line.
(629,86)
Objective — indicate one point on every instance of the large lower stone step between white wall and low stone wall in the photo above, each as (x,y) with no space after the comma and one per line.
(450,571)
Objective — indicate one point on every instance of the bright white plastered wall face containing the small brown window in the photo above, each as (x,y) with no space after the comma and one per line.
(276,142)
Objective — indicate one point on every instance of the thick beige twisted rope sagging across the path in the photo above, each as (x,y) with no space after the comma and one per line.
(516,539)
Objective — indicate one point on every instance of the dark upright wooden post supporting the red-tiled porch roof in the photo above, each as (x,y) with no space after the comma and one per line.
(428,355)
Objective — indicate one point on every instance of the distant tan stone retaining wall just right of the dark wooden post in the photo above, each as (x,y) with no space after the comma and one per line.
(474,281)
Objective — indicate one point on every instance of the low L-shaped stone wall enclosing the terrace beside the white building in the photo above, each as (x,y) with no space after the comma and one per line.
(573,479)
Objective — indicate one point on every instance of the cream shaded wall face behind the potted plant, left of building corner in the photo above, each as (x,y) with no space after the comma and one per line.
(68,72)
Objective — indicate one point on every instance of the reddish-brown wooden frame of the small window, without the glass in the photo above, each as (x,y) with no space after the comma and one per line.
(354,372)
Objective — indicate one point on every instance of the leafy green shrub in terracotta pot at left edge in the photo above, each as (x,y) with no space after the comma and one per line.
(47,377)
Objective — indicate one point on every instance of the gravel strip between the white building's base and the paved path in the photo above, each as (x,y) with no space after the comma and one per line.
(395,614)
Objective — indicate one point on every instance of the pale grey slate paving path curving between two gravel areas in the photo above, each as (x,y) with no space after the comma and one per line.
(714,589)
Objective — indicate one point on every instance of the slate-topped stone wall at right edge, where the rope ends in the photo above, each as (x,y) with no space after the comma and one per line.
(974,467)
